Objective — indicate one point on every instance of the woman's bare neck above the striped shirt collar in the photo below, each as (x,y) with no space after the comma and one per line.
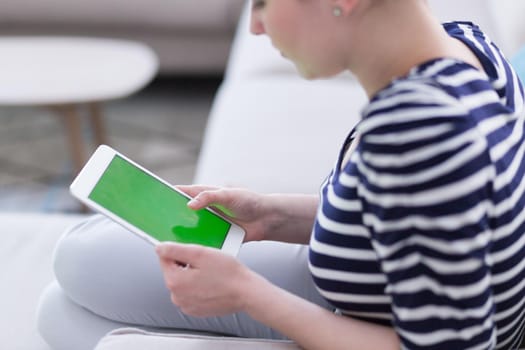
(391,37)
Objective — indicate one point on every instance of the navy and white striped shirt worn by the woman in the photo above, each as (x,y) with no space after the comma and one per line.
(423,228)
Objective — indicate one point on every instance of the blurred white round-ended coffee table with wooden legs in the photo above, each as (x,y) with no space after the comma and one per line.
(68,73)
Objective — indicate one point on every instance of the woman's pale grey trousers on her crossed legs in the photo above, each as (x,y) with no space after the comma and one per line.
(109,278)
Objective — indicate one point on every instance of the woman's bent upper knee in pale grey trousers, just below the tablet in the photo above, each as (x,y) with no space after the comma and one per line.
(101,265)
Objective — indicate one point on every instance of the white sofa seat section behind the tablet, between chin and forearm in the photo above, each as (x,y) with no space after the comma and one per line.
(255,139)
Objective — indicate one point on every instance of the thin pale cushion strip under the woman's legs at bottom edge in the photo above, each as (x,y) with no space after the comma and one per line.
(135,339)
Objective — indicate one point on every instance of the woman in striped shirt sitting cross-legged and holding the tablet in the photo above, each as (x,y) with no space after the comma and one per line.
(418,235)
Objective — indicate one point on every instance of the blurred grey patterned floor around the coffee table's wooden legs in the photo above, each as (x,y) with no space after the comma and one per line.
(160,128)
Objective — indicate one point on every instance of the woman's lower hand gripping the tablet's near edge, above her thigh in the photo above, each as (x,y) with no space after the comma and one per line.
(203,281)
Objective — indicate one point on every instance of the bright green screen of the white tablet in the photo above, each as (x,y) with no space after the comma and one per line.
(155,208)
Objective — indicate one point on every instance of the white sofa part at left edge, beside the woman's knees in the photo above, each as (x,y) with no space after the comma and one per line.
(28,241)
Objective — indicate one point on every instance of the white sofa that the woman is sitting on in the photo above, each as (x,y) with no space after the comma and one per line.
(265,132)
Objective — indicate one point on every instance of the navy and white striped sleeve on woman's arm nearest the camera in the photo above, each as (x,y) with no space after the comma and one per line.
(425,190)
